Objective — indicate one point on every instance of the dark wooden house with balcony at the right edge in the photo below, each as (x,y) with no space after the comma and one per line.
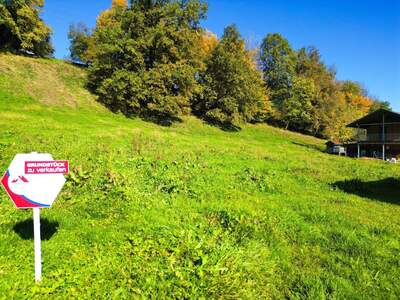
(378,135)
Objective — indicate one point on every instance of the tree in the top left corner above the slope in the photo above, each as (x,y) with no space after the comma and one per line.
(21,27)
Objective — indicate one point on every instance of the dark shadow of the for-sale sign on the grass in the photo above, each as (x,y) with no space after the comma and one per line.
(25,229)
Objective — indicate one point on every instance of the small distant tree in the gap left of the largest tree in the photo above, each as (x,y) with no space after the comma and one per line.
(80,39)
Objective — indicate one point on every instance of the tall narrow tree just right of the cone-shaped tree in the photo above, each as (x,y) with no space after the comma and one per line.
(278,63)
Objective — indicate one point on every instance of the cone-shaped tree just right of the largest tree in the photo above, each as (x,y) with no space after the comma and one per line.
(233,90)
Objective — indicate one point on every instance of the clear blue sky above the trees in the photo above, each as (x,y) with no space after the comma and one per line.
(360,37)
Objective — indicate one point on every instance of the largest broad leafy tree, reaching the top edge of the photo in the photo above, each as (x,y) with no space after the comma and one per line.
(144,59)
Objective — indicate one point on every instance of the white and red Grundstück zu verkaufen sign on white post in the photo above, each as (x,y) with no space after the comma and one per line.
(34,181)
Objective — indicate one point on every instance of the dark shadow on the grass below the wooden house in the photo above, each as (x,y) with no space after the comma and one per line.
(385,190)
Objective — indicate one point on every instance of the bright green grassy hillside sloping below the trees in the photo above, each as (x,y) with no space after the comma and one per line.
(188,211)
